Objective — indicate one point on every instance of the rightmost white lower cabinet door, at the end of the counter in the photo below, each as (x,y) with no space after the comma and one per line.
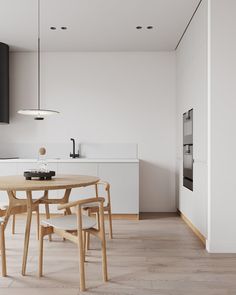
(124,181)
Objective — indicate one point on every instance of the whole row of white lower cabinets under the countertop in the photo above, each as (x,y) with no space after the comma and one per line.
(123,177)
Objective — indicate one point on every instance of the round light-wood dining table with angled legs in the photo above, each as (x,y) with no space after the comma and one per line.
(12,184)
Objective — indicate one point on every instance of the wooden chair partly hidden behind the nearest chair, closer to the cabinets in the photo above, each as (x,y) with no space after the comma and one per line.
(107,208)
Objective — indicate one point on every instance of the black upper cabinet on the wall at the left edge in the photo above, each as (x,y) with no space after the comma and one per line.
(4,83)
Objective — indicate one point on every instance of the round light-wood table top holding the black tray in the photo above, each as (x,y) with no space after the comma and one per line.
(19,183)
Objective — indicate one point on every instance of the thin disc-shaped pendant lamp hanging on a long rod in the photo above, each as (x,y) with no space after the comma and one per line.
(38,113)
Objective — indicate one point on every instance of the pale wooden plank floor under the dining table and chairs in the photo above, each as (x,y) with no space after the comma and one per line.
(157,255)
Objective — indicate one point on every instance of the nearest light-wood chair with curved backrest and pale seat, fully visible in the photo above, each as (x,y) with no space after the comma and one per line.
(74,228)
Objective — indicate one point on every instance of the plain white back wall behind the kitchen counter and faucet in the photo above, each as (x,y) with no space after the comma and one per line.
(103,98)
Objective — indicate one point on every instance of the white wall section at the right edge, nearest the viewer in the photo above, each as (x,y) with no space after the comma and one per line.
(222,217)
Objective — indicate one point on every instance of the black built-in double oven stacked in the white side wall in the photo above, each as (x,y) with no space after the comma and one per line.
(188,149)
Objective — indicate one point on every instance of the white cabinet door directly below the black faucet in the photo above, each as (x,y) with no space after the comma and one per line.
(79,169)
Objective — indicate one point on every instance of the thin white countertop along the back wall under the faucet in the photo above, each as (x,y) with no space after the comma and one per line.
(77,160)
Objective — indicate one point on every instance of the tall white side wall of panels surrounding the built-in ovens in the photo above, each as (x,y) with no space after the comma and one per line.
(192,93)
